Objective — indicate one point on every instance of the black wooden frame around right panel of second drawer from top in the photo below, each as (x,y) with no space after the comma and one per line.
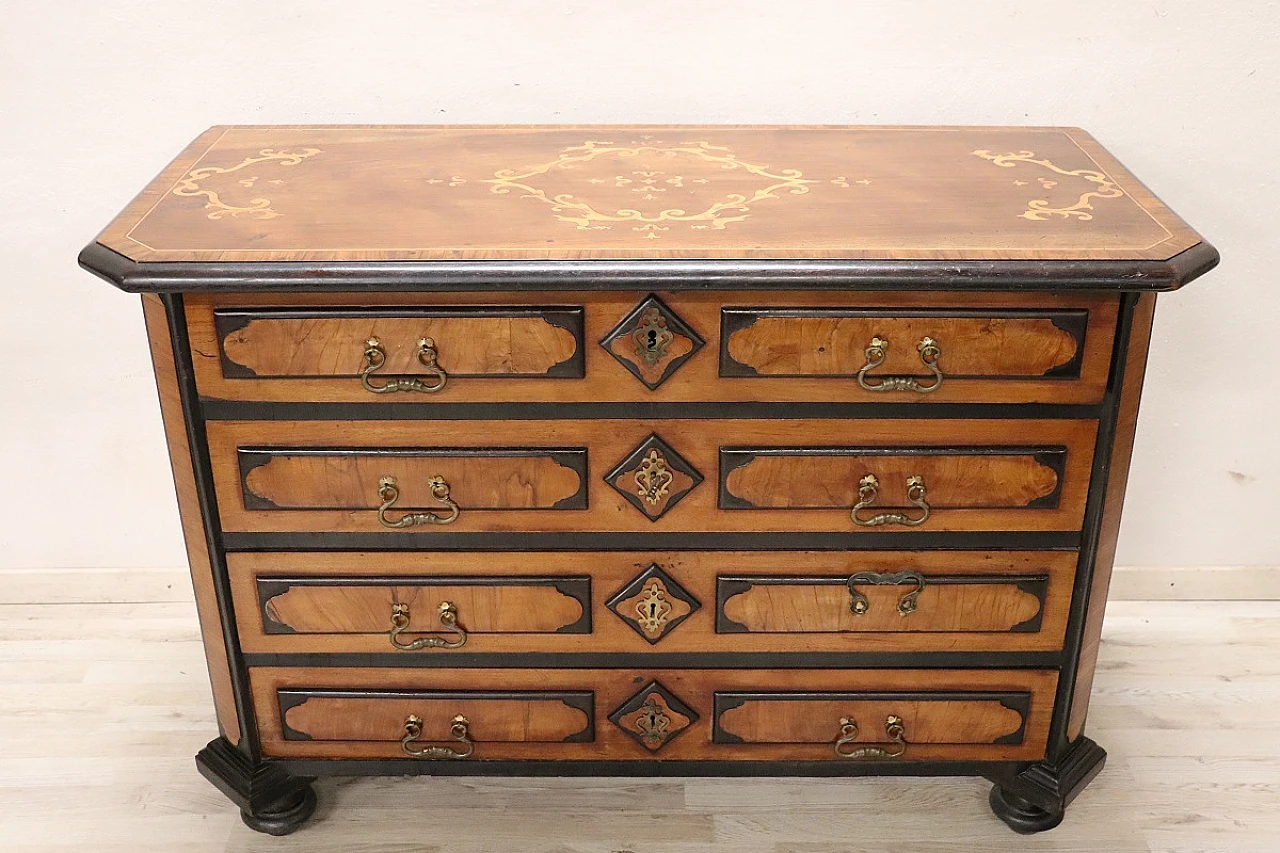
(733,458)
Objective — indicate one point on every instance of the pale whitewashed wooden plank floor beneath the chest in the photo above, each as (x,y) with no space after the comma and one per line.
(104,701)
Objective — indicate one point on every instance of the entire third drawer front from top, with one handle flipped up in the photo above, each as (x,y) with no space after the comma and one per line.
(783,601)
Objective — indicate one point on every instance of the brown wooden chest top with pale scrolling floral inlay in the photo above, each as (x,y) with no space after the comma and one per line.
(570,194)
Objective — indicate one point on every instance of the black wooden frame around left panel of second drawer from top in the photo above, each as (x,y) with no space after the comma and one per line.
(572,458)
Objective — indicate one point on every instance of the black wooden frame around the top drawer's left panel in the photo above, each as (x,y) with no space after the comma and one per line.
(228,321)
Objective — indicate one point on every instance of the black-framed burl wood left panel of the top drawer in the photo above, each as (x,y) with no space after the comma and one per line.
(472,343)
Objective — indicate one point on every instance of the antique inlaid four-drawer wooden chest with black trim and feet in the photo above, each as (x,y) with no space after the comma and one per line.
(653,450)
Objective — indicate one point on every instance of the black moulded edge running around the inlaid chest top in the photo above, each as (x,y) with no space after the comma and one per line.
(661,275)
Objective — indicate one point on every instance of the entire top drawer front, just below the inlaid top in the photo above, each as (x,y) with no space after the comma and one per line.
(639,346)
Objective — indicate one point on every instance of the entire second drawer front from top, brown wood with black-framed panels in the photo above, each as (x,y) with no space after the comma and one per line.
(756,476)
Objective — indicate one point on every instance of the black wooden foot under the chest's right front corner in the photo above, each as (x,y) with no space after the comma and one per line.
(1036,800)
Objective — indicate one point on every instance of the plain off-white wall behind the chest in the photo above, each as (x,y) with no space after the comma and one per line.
(97,97)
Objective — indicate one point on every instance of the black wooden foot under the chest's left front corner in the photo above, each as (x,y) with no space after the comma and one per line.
(271,800)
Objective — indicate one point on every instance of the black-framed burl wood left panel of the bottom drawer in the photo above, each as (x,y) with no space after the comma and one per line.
(493,717)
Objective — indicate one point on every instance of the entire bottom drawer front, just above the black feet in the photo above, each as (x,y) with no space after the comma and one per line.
(730,715)
